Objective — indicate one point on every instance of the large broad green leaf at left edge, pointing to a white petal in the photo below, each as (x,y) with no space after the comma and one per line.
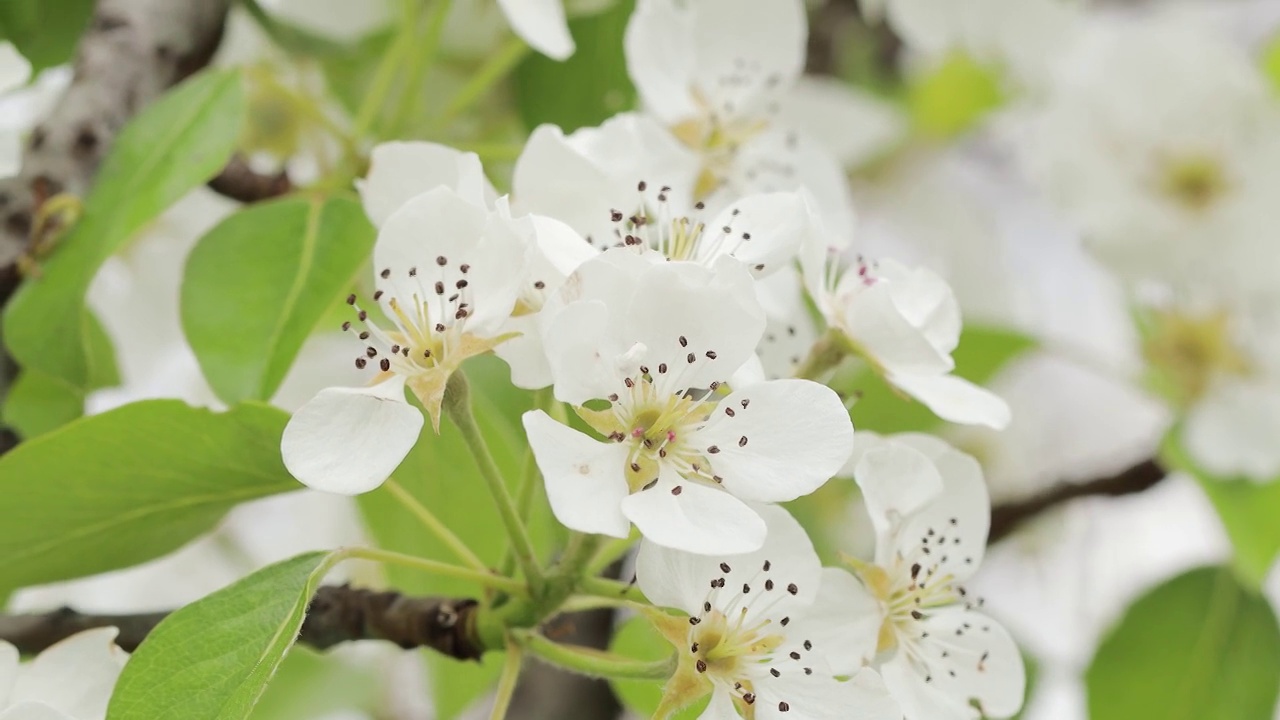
(127,486)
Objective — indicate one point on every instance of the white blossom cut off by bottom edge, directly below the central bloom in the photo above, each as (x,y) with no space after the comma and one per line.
(758,631)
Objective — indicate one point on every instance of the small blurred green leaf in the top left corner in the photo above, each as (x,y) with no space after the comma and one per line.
(45,31)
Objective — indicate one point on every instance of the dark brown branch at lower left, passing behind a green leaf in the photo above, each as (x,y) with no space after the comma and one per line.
(337,614)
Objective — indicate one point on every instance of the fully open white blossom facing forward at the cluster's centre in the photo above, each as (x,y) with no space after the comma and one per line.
(642,350)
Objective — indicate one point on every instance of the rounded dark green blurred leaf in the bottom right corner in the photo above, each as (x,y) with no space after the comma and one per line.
(1199,646)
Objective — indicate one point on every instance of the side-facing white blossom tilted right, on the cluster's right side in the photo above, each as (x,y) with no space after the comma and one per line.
(906,322)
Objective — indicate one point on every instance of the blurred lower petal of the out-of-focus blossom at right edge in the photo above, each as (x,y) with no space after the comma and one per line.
(1233,432)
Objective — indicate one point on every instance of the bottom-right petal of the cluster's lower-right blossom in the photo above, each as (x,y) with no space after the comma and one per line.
(986,662)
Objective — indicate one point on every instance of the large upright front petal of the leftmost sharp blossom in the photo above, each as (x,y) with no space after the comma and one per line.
(441,225)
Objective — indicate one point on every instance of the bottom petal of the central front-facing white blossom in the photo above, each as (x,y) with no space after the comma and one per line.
(696,518)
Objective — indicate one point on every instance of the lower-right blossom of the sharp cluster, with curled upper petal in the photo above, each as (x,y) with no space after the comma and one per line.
(934,648)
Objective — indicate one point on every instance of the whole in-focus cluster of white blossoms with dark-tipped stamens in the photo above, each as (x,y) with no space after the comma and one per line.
(644,271)
